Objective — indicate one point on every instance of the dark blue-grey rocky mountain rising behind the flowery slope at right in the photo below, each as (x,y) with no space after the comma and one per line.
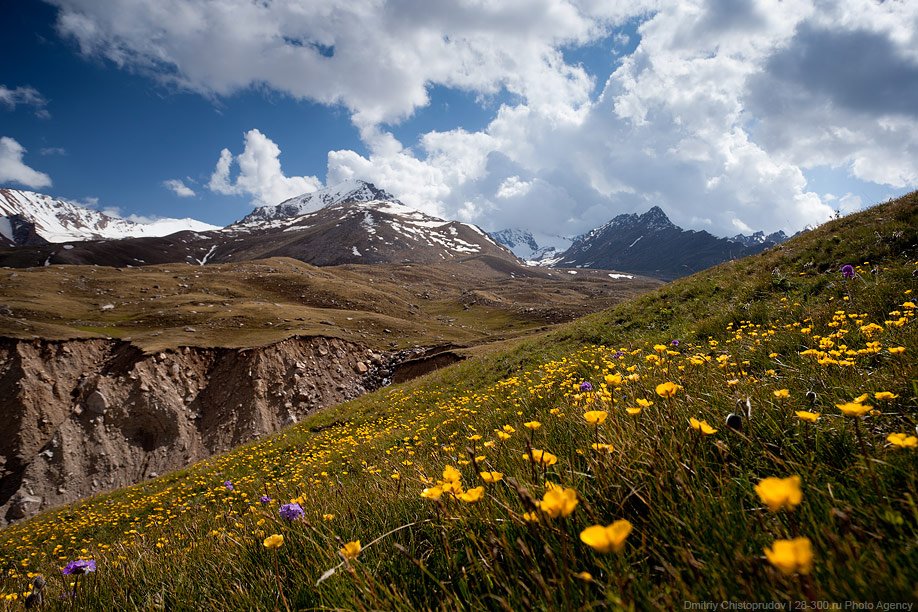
(650,244)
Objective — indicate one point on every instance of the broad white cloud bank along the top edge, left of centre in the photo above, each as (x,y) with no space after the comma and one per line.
(375,58)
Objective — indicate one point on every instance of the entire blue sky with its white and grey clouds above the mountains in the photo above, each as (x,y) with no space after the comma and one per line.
(547,115)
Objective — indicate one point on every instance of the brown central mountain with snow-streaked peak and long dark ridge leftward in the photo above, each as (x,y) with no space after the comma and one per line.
(350,223)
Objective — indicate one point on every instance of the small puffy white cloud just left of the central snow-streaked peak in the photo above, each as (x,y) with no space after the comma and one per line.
(259,173)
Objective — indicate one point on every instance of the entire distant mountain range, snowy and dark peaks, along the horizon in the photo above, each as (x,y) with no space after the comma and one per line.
(352,222)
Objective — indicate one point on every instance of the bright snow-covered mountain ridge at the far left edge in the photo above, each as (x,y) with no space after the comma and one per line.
(28,218)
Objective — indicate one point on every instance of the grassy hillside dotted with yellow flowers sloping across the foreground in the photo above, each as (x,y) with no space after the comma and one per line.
(775,340)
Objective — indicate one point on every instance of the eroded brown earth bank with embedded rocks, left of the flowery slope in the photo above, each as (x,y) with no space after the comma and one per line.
(83,416)
